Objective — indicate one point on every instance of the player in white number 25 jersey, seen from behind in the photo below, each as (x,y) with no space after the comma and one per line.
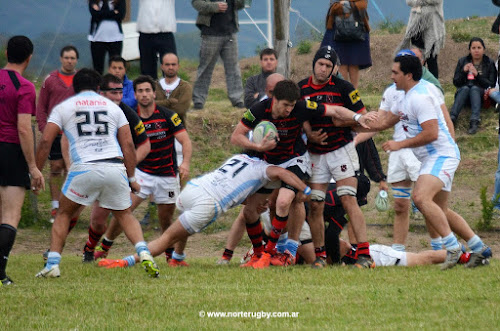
(102,157)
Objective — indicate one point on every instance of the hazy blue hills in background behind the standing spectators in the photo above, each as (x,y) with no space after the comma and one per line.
(53,24)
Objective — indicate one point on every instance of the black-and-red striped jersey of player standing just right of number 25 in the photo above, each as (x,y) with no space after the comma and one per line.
(161,128)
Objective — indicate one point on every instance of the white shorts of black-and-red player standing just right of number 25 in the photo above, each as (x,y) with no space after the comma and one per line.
(163,190)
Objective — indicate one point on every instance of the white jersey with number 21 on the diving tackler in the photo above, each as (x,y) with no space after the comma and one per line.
(238,178)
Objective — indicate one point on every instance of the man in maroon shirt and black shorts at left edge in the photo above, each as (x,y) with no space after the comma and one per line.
(17,156)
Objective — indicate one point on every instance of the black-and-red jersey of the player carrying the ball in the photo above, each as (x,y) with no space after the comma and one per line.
(290,142)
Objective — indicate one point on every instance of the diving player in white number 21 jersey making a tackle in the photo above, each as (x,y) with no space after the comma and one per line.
(208,196)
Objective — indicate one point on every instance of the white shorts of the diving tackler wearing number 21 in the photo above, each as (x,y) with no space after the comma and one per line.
(198,208)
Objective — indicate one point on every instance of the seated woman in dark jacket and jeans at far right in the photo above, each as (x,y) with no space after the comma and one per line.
(474,73)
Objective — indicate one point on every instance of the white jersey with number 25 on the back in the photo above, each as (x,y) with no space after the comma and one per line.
(91,123)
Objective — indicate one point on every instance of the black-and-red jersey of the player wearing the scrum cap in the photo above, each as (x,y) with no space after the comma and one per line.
(336,92)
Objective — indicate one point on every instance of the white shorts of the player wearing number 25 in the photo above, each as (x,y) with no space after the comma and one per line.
(105,182)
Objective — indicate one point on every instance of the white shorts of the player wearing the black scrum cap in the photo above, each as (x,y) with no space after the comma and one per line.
(339,164)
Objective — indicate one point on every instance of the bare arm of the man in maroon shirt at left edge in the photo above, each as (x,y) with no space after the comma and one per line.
(27,145)
